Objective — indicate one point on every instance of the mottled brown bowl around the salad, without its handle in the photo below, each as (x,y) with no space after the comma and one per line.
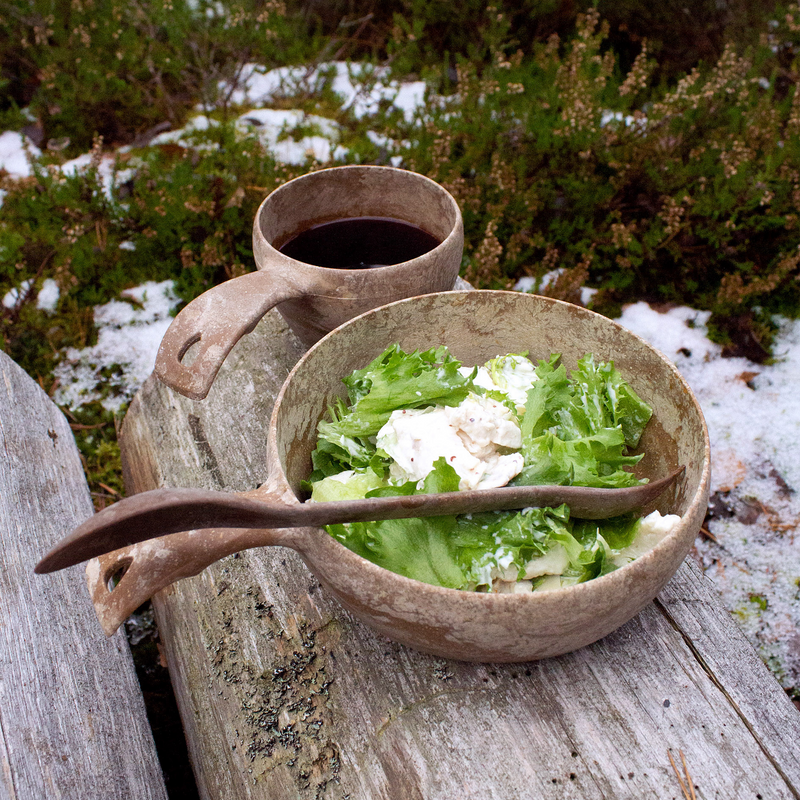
(477,326)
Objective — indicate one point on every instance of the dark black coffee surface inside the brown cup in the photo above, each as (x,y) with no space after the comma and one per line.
(359,243)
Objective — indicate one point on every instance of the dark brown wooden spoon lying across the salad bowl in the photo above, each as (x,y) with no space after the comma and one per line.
(162,511)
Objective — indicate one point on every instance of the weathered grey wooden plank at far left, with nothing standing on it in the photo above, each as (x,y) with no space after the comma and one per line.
(72,718)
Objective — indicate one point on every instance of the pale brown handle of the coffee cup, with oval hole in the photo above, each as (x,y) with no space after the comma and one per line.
(213,323)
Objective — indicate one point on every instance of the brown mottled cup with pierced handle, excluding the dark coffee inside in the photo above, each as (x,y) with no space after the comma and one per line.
(314,300)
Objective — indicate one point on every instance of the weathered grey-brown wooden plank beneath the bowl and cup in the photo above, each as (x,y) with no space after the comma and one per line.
(284,695)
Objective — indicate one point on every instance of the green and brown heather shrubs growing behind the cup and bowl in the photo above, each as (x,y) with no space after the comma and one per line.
(643,168)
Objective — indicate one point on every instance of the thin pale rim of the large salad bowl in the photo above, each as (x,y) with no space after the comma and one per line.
(620,575)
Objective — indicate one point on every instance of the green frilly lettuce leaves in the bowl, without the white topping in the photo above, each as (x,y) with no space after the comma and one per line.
(575,430)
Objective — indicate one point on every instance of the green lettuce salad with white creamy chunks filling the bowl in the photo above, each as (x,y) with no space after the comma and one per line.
(421,422)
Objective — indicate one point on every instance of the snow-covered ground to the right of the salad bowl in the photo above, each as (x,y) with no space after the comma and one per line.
(753,417)
